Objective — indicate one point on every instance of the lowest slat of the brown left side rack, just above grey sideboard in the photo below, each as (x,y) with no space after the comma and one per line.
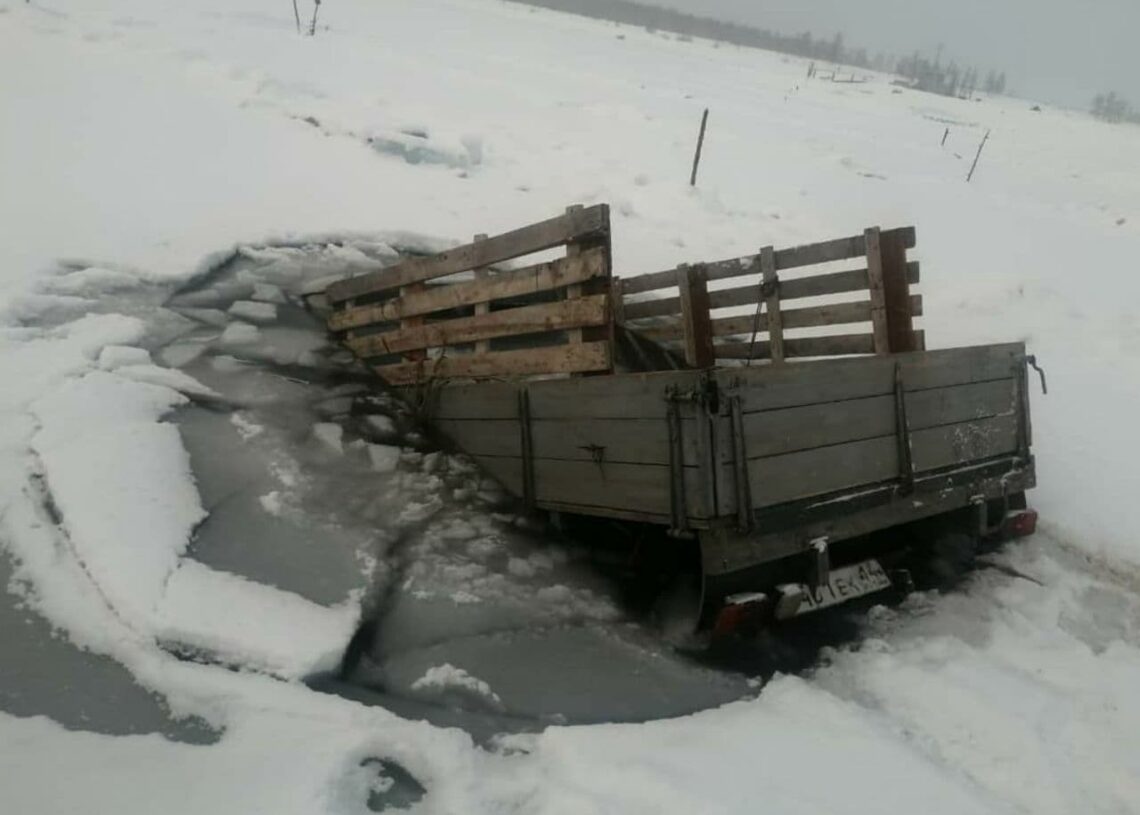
(566,360)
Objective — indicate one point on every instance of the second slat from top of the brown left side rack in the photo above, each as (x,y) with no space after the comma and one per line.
(532,280)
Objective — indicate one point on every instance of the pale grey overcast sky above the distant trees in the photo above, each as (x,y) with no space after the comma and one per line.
(1056,51)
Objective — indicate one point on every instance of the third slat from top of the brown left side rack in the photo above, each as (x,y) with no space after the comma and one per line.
(527,320)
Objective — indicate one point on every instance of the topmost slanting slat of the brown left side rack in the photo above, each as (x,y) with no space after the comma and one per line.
(536,238)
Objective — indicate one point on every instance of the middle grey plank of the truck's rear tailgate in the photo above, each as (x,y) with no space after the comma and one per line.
(788,430)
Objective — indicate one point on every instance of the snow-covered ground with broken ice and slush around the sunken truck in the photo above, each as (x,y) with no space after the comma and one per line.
(199,506)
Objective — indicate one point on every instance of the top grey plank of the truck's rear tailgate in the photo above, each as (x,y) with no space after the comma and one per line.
(769,388)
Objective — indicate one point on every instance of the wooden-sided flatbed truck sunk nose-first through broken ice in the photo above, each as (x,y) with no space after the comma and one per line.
(707,426)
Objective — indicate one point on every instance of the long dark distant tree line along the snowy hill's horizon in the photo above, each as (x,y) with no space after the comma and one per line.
(922,74)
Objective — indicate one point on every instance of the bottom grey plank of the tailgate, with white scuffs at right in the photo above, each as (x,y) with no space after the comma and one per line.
(794,476)
